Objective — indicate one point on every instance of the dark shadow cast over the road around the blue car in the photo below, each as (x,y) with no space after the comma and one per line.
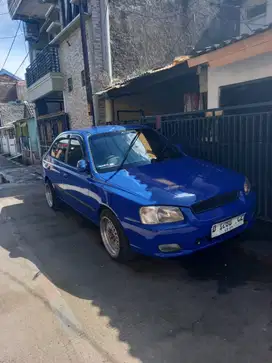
(160,308)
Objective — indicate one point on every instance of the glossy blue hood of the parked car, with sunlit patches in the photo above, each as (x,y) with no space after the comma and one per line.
(180,182)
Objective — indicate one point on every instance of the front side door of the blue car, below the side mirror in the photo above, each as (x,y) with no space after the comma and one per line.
(77,185)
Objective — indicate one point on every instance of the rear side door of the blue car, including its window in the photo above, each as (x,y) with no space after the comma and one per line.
(55,163)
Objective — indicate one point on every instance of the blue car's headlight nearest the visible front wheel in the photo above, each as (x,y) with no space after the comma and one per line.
(158,215)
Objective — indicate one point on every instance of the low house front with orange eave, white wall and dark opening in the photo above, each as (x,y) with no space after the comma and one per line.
(238,72)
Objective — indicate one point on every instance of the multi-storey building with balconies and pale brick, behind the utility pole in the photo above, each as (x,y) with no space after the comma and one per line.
(55,77)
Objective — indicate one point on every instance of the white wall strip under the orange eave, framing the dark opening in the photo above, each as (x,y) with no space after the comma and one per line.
(238,72)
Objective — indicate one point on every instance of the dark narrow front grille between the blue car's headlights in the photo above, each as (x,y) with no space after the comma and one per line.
(214,202)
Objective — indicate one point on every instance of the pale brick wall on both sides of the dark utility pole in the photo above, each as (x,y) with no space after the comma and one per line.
(71,65)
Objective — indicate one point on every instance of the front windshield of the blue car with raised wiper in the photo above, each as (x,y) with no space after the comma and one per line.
(110,149)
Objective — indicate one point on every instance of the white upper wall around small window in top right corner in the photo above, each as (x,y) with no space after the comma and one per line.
(258,21)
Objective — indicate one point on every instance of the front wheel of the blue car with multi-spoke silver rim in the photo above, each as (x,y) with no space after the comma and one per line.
(113,238)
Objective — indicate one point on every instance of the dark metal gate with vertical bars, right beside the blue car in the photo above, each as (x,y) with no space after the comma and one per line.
(242,142)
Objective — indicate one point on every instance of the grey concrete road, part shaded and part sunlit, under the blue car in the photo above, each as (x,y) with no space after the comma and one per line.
(63,300)
